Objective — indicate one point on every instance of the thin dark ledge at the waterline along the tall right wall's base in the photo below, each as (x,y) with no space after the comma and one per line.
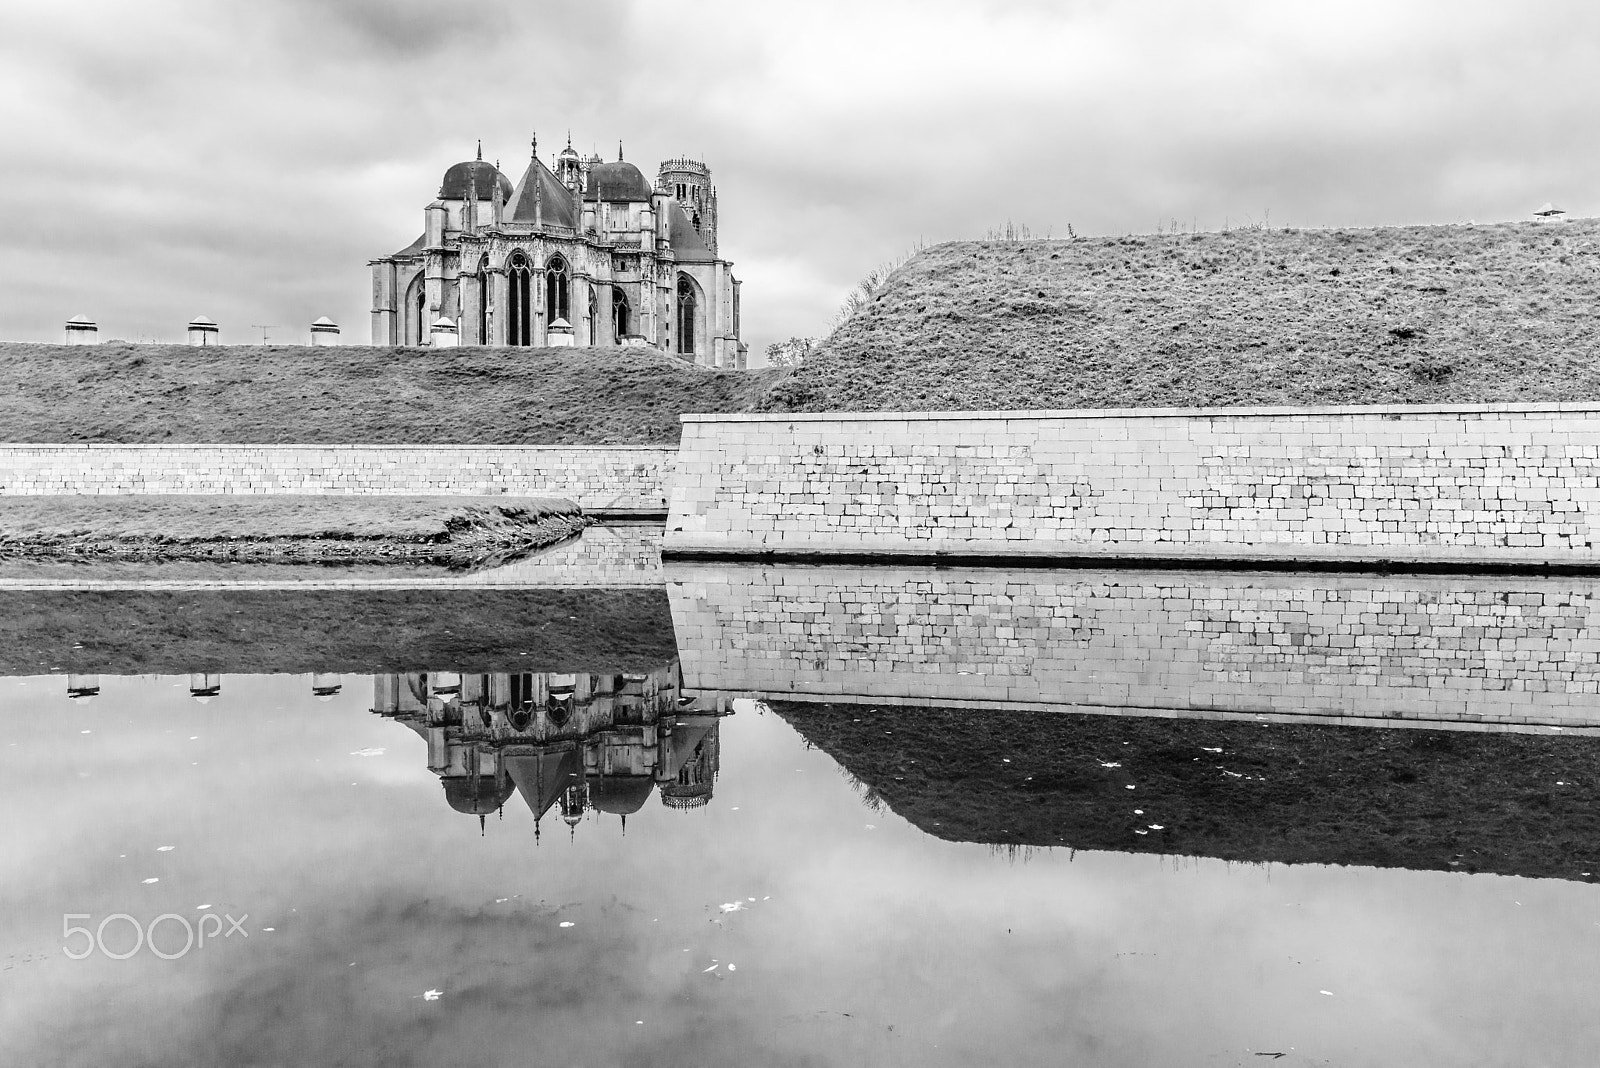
(1089,560)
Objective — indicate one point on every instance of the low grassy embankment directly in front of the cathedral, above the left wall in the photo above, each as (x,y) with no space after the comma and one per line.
(294,394)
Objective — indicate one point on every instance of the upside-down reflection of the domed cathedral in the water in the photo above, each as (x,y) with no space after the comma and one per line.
(574,743)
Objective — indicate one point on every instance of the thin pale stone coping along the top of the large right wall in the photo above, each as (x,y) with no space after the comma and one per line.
(1508,408)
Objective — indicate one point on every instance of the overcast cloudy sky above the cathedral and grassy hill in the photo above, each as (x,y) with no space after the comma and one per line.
(169,159)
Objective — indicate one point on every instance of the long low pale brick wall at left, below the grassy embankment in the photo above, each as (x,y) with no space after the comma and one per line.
(596,477)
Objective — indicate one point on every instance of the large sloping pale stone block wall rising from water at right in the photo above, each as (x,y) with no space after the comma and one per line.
(1468,482)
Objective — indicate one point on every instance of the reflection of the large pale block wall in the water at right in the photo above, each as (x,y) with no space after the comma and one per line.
(1513,652)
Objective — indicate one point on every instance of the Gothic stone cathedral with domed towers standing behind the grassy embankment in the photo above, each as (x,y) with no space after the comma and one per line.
(580,253)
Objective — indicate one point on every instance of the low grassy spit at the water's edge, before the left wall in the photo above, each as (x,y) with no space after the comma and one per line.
(447,532)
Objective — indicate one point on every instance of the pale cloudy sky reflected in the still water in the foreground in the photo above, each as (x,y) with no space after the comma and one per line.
(993,960)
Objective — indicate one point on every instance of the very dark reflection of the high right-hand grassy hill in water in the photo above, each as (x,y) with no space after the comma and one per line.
(1289,794)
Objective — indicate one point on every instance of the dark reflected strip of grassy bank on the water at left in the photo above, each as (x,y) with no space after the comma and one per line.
(334,631)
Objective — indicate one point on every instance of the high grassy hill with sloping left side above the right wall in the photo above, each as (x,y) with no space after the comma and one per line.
(1244,317)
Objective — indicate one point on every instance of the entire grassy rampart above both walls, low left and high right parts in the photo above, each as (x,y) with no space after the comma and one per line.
(1246,317)
